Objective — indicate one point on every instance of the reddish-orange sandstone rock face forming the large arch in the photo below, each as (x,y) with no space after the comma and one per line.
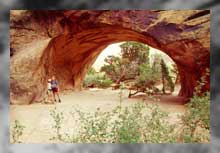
(66,44)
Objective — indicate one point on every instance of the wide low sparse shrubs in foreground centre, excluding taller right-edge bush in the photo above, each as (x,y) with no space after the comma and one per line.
(139,123)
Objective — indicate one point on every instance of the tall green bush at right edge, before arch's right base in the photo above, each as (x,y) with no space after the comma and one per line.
(196,120)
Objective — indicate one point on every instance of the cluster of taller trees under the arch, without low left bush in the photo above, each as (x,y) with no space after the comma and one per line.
(134,65)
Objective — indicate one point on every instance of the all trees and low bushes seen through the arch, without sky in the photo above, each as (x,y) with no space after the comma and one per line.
(133,68)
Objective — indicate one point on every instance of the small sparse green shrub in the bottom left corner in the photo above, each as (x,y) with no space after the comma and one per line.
(17,132)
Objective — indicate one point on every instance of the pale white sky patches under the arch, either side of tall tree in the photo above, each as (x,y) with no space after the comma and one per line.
(114,49)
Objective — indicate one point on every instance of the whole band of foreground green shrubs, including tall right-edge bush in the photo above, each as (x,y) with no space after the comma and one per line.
(139,123)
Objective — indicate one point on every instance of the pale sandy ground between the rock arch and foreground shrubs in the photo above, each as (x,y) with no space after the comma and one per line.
(38,122)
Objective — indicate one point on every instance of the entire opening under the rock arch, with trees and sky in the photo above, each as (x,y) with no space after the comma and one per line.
(106,72)
